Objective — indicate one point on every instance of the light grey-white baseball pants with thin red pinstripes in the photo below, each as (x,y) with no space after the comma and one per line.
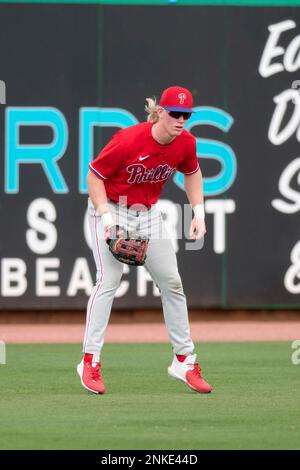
(161,263)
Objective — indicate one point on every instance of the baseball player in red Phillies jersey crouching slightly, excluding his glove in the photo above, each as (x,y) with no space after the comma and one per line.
(124,183)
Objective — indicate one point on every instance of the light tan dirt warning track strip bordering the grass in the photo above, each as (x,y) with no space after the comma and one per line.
(153,332)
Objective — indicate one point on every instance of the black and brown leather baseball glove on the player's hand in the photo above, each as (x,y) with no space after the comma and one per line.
(126,250)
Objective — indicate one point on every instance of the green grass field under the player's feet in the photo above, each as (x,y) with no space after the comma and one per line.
(254,405)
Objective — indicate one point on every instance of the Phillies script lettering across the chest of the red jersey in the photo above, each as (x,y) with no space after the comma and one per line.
(140,174)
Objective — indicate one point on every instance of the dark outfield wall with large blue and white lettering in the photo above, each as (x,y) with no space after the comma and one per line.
(72,74)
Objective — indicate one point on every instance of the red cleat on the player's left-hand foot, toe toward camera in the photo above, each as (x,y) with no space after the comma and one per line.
(89,373)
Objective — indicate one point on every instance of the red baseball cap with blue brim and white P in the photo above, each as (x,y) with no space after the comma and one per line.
(177,98)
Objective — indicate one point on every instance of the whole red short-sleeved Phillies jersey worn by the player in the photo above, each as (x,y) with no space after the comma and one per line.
(134,165)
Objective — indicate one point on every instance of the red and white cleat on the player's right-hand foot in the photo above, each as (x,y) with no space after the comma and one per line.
(189,372)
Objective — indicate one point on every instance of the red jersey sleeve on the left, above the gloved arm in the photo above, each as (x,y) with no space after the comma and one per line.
(110,159)
